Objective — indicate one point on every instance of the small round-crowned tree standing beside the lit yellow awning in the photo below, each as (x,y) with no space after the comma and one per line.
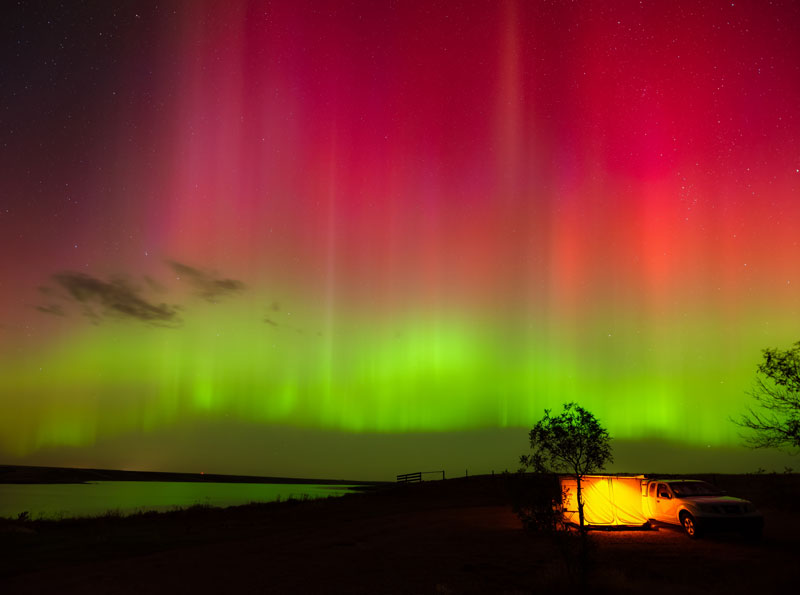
(573,442)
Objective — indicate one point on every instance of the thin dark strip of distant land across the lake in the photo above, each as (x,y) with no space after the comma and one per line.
(31,474)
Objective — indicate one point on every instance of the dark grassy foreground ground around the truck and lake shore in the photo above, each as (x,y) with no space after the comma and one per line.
(458,536)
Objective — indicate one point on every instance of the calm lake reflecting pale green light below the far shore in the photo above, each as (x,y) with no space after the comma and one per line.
(126,497)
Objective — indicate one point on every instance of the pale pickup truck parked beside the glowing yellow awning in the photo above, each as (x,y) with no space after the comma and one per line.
(698,507)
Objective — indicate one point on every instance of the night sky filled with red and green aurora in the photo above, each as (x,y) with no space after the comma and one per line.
(374,223)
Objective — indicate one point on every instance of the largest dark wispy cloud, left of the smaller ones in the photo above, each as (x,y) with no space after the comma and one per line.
(114,298)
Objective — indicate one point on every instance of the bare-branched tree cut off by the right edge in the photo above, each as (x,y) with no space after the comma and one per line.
(775,422)
